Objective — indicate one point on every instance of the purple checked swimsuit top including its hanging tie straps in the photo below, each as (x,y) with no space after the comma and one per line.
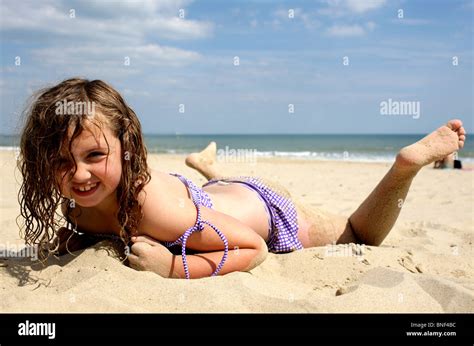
(200,198)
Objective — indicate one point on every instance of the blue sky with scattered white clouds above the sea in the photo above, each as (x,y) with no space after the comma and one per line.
(289,53)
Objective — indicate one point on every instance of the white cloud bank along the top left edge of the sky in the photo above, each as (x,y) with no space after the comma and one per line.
(117,21)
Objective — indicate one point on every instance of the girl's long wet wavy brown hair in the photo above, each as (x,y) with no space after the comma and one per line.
(44,137)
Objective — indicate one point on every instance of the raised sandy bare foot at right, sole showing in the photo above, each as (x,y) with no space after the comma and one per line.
(435,146)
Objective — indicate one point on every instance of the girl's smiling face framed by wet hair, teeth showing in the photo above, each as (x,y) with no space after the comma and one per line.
(97,153)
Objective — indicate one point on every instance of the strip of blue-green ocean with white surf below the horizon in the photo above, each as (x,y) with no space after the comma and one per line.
(362,148)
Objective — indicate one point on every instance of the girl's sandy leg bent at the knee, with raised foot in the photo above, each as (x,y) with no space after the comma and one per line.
(375,217)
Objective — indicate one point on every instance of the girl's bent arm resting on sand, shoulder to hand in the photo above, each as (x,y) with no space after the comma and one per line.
(168,222)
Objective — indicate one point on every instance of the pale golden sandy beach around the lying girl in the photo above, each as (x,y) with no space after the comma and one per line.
(424,265)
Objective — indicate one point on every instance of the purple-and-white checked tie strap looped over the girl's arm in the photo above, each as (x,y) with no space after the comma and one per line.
(198,227)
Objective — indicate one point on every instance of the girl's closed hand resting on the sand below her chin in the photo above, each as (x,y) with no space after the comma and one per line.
(149,255)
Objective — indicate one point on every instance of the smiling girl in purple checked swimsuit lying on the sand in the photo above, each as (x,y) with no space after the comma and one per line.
(94,166)
